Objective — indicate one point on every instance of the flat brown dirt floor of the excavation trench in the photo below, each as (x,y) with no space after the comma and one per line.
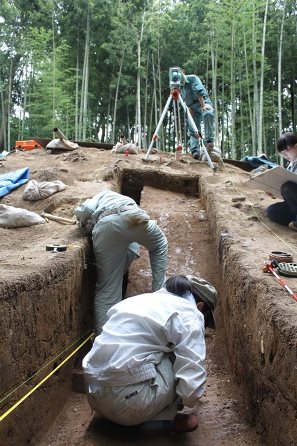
(224,420)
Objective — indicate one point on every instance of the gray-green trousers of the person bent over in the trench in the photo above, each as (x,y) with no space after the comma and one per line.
(114,250)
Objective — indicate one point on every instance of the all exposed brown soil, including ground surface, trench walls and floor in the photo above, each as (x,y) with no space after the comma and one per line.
(46,298)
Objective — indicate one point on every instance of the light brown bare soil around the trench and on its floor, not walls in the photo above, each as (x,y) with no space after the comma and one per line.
(224,416)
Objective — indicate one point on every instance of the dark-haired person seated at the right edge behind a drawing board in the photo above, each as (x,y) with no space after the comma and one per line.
(285,212)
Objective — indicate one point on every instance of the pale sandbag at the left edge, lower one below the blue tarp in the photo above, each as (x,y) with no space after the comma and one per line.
(11,217)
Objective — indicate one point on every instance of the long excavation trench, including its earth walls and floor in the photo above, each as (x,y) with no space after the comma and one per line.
(250,384)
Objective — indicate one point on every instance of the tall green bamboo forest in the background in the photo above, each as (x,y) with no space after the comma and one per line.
(97,69)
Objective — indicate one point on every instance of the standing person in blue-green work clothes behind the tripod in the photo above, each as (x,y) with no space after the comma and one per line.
(200,106)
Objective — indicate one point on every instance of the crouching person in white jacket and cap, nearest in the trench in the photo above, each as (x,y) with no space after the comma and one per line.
(149,359)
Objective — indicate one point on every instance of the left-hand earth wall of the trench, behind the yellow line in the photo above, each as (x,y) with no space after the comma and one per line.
(41,315)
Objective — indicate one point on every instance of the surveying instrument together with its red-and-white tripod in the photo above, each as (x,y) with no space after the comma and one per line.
(175,79)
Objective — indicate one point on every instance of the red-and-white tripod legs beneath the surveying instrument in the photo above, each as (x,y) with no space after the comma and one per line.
(176,98)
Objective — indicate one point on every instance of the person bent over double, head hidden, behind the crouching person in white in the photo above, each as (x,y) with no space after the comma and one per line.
(119,226)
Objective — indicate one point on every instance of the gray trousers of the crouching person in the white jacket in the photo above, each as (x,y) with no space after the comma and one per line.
(133,404)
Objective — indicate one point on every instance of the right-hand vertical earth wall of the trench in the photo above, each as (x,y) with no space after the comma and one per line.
(262,344)
